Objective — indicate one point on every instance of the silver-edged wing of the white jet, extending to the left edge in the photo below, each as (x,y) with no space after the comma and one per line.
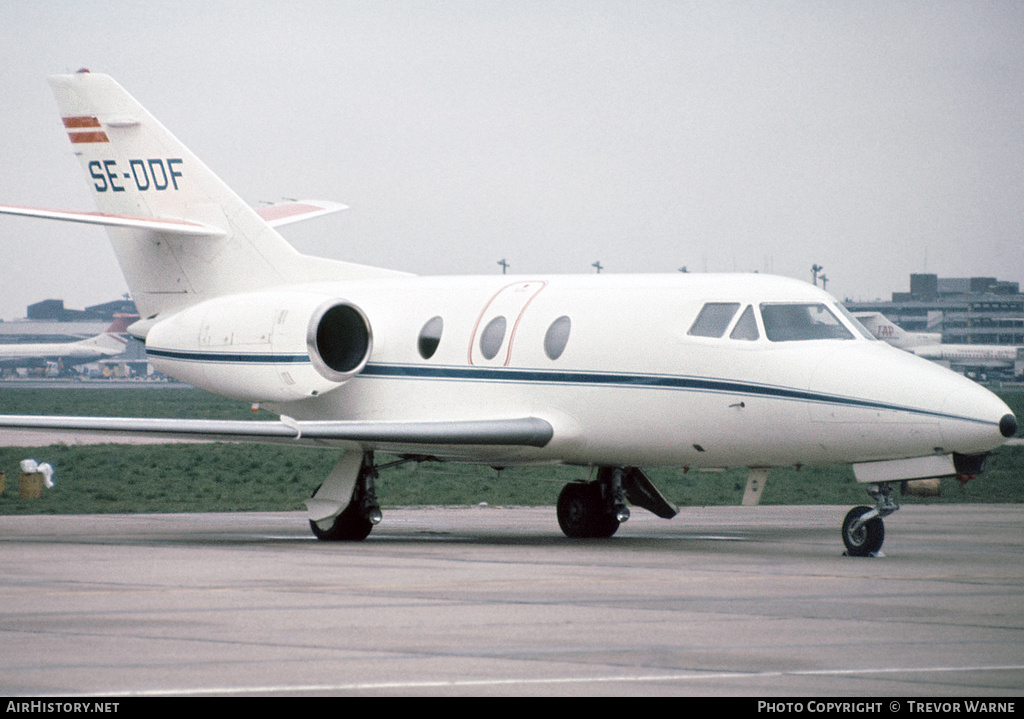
(527,432)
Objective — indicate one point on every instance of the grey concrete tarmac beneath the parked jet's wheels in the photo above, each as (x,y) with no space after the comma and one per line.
(724,602)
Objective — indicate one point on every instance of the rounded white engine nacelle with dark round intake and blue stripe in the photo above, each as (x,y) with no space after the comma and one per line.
(264,347)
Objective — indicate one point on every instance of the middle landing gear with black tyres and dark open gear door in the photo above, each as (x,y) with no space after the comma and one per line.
(595,510)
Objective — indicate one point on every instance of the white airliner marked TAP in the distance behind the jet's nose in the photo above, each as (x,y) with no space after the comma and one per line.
(975,359)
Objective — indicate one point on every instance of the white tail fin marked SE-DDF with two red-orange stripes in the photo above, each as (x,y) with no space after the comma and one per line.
(181,235)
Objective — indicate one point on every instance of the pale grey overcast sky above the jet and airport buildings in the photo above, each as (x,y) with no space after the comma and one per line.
(874,139)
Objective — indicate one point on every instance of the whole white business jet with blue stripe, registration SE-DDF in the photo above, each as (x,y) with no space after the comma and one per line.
(602,371)
